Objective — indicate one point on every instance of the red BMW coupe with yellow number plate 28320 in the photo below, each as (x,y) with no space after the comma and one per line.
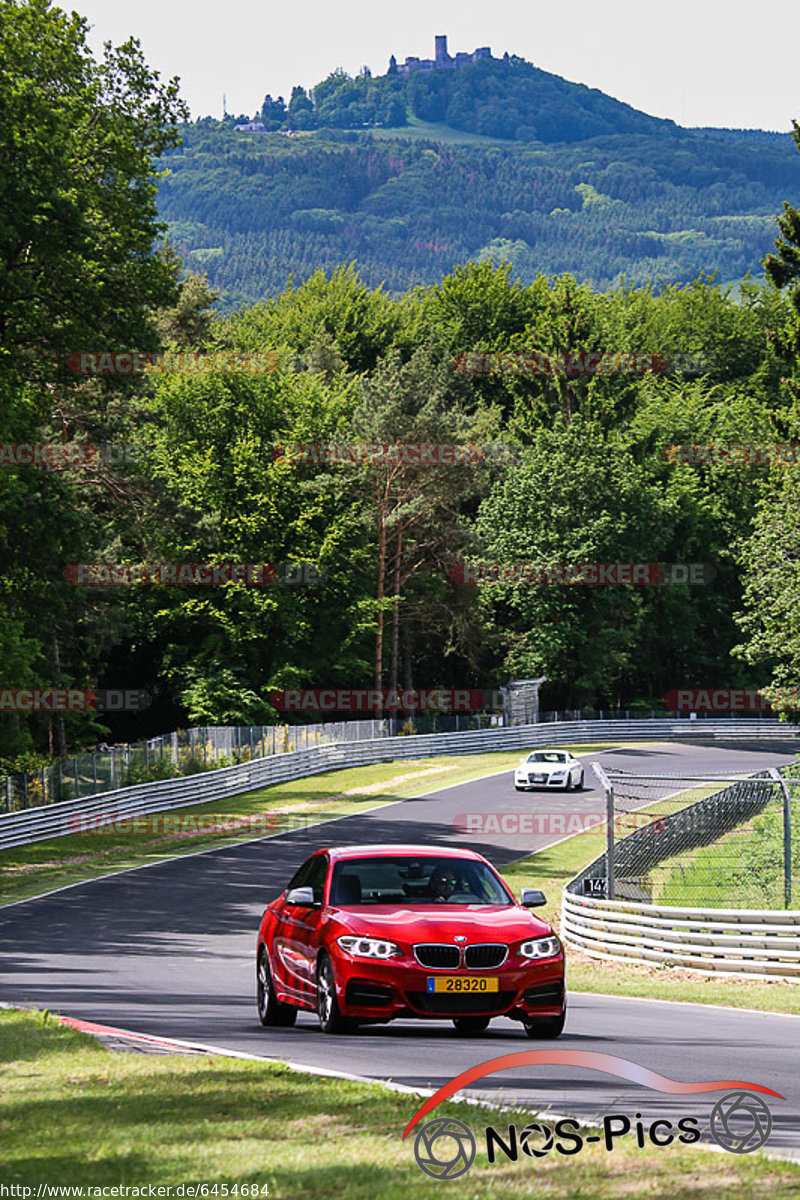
(366,934)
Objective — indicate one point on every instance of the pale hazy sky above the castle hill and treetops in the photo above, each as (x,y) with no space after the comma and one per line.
(699,62)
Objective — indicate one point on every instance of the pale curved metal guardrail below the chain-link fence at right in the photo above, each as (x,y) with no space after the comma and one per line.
(761,944)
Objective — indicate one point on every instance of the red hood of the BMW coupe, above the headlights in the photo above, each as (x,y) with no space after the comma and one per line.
(442,923)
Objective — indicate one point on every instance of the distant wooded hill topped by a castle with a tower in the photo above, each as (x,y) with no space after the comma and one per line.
(588,185)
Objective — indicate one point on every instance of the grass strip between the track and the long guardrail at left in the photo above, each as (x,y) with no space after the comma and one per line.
(31,871)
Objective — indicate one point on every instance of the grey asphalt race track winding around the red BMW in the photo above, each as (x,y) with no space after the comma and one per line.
(169,951)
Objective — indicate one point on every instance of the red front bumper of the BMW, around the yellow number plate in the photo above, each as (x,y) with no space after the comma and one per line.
(383,992)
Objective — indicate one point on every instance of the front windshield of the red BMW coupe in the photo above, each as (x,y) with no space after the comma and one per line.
(416,881)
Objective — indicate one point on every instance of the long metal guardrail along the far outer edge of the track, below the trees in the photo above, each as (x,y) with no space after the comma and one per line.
(58,820)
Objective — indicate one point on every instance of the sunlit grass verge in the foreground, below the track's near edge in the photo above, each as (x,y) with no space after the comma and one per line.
(76,1114)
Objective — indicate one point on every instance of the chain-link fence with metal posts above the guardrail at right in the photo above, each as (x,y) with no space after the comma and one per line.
(700,842)
